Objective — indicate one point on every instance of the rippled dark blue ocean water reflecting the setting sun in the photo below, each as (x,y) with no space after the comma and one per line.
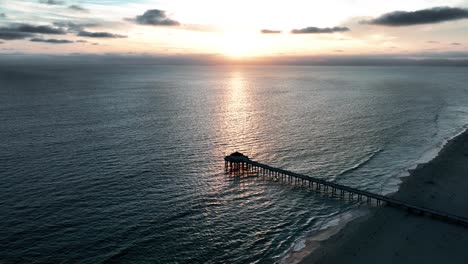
(124,163)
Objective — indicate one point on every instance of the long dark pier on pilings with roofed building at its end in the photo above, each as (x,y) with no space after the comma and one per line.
(240,164)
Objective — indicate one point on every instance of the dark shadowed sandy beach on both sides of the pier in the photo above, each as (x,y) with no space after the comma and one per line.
(390,235)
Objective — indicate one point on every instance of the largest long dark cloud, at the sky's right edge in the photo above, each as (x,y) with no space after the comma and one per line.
(424,16)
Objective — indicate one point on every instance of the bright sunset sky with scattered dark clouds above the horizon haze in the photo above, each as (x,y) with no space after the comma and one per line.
(235,29)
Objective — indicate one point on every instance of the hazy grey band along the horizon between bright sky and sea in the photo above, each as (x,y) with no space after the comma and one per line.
(411,59)
